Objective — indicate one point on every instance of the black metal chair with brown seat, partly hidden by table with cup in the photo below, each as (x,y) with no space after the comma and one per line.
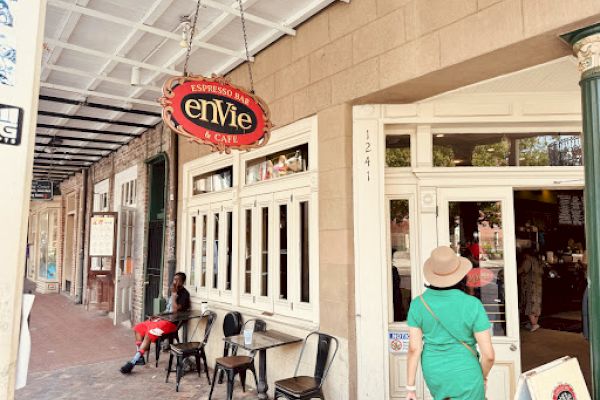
(235,364)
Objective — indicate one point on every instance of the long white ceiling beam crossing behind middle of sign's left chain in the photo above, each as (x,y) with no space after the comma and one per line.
(140,26)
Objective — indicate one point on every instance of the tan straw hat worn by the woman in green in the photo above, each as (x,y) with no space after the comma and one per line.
(444,268)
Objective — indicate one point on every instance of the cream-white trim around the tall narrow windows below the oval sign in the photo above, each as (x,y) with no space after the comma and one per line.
(269,193)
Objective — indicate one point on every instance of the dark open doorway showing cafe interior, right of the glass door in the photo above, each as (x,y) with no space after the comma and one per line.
(550,241)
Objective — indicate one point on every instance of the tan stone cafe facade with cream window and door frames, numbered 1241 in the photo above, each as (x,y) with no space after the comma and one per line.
(359,73)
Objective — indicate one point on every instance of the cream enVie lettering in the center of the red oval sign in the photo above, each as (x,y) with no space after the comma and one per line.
(222,113)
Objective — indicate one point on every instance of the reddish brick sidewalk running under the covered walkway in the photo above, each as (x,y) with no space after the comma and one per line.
(77,354)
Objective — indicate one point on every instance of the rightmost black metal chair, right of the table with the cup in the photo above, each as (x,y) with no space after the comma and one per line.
(309,387)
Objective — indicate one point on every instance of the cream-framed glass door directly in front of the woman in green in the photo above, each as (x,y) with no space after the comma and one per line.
(478,223)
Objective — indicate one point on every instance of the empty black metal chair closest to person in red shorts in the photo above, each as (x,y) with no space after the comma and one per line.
(189,349)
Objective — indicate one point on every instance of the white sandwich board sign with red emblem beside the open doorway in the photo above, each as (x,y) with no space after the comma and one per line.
(558,380)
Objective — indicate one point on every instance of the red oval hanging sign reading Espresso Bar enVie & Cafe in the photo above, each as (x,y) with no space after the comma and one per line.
(212,111)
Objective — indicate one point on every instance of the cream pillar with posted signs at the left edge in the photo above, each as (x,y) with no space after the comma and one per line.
(22,36)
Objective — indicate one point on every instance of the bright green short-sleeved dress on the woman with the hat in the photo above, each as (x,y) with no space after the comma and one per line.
(450,369)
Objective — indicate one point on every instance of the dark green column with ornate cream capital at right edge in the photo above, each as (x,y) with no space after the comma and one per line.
(586,46)
